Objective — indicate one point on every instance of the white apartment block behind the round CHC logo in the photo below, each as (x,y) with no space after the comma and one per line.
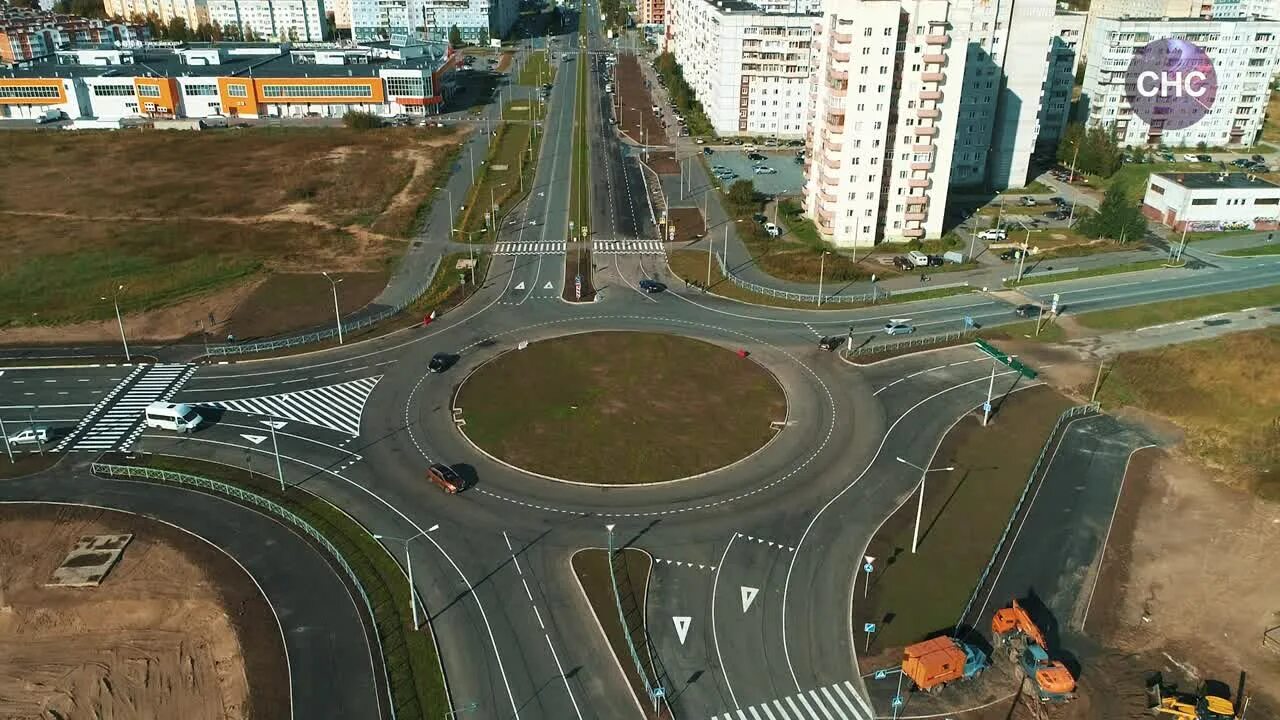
(1246,54)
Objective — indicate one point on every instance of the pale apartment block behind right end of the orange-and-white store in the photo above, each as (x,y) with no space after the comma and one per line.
(476,20)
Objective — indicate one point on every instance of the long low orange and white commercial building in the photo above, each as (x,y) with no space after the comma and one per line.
(227,81)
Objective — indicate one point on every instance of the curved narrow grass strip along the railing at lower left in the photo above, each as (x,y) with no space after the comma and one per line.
(418,687)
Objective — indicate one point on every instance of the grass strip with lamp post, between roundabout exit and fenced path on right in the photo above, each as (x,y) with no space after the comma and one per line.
(966,511)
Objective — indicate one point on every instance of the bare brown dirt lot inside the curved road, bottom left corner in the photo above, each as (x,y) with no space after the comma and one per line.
(176,631)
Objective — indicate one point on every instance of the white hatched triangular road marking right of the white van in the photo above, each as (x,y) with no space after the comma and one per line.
(337,408)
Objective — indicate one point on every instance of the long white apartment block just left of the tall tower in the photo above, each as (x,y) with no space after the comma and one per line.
(751,70)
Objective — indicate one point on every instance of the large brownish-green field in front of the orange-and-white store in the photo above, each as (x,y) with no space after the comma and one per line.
(312,199)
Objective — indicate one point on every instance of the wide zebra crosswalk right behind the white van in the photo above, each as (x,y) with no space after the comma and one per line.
(116,422)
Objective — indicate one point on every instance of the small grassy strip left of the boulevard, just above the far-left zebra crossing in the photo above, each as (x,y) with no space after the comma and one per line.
(500,179)
